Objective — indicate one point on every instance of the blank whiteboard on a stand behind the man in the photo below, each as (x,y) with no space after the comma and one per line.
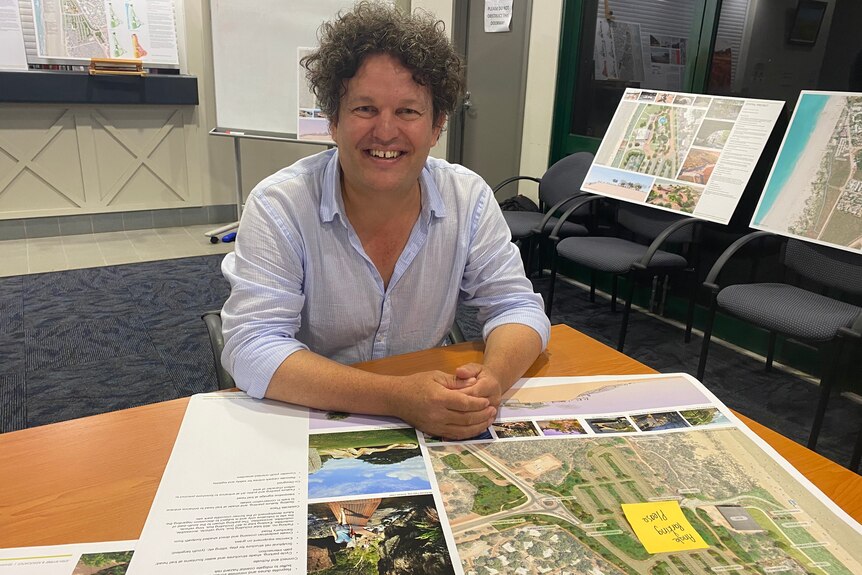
(255,63)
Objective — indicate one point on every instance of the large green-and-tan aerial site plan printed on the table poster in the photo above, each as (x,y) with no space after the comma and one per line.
(541,505)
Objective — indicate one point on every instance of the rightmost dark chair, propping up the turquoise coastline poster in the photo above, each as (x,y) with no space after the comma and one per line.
(784,308)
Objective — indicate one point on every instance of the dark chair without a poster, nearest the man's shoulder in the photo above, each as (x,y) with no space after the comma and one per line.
(558,186)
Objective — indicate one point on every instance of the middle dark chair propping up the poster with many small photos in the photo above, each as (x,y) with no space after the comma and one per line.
(633,252)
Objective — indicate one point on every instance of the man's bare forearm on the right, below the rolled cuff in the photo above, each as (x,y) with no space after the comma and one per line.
(510,350)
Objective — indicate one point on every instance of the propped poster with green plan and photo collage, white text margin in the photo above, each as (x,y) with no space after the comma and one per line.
(686,153)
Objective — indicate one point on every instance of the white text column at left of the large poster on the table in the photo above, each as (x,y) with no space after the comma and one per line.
(233,496)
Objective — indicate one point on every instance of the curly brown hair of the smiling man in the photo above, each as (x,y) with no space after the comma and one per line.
(417,40)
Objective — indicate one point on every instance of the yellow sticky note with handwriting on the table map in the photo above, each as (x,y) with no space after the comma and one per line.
(661,527)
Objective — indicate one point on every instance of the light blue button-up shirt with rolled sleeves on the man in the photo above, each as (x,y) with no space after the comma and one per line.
(300,278)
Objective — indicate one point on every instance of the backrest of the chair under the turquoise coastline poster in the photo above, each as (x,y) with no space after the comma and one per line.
(825,265)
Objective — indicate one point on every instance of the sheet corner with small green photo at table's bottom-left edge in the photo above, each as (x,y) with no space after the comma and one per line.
(81,558)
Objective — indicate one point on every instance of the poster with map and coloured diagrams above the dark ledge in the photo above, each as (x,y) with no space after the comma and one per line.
(124,29)
